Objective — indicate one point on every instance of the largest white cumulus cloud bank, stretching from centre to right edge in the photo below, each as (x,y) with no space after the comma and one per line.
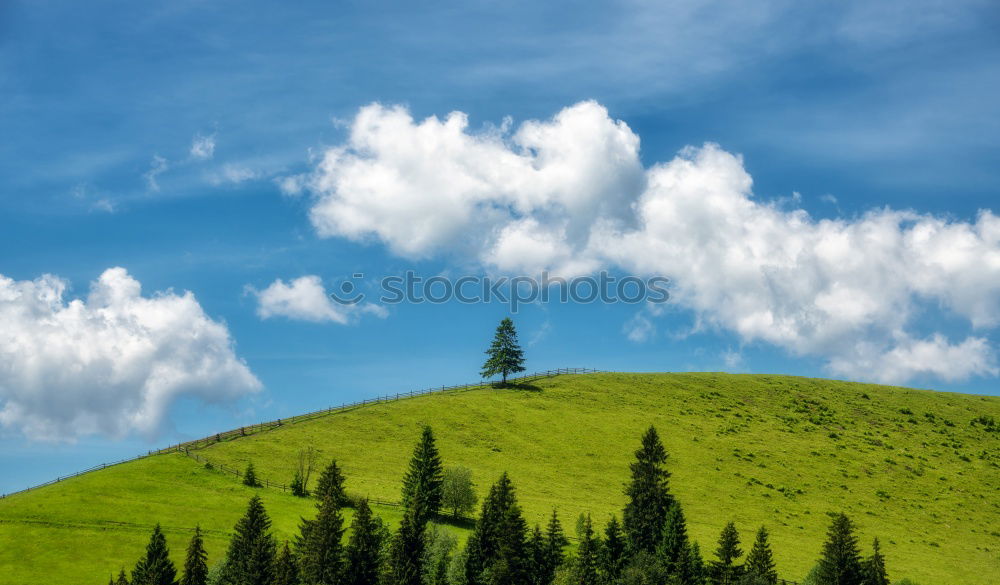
(570,195)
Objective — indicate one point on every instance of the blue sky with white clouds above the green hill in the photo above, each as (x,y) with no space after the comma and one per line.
(166,138)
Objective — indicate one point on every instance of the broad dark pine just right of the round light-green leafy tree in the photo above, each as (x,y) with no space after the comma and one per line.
(498,545)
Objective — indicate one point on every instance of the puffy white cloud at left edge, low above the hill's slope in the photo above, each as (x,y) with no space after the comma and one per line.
(112,363)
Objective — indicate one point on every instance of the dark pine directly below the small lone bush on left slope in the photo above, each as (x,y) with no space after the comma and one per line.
(252,549)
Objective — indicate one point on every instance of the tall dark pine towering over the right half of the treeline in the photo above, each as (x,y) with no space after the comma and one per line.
(648,495)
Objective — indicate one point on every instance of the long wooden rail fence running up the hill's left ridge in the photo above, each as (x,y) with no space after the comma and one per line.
(188,446)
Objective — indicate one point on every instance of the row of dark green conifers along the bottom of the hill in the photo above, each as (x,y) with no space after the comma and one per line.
(648,546)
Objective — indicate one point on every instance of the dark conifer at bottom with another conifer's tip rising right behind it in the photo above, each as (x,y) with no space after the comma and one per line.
(321,559)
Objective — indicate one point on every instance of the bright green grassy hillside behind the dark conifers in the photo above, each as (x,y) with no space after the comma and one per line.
(907,465)
